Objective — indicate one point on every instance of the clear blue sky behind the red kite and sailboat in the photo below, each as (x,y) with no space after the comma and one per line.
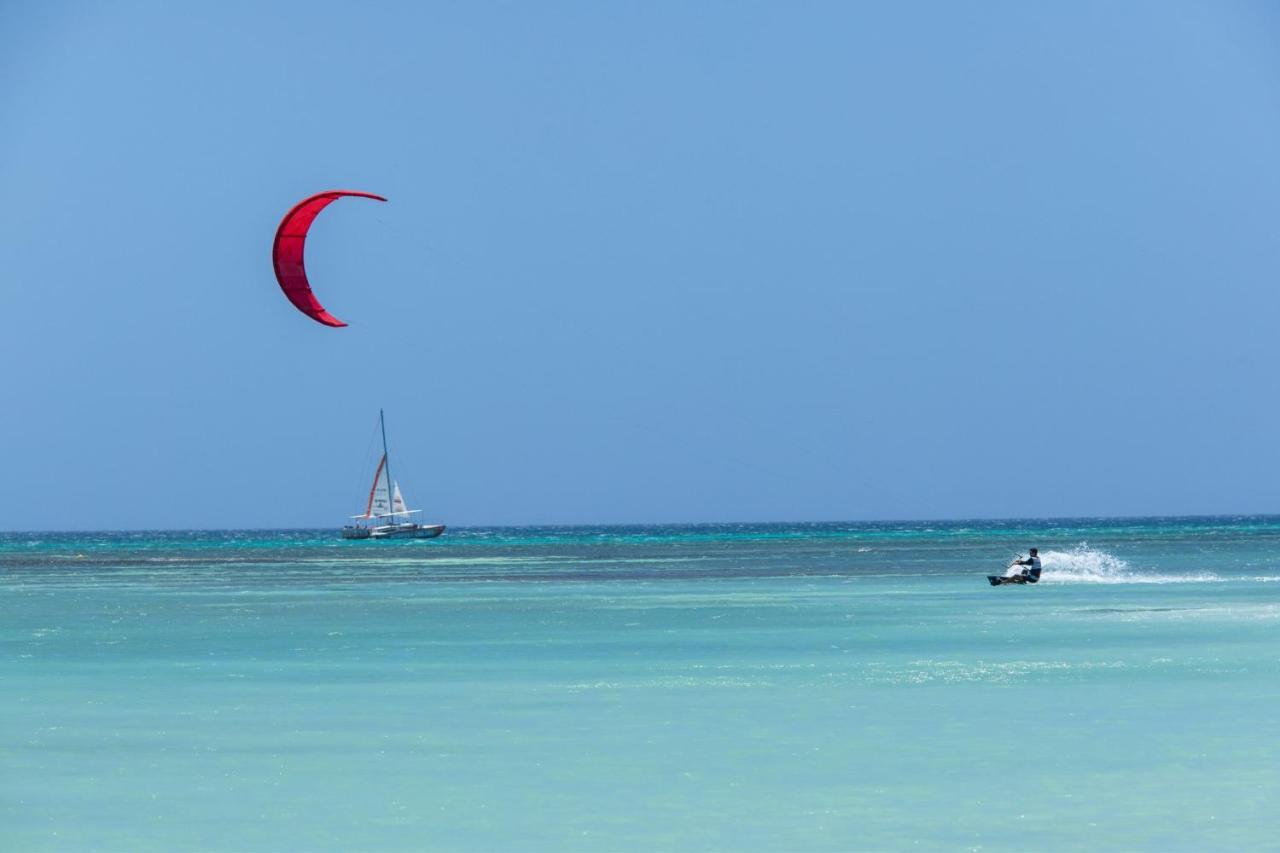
(641,262)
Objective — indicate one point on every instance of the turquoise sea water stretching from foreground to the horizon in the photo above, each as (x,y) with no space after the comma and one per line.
(824,687)
